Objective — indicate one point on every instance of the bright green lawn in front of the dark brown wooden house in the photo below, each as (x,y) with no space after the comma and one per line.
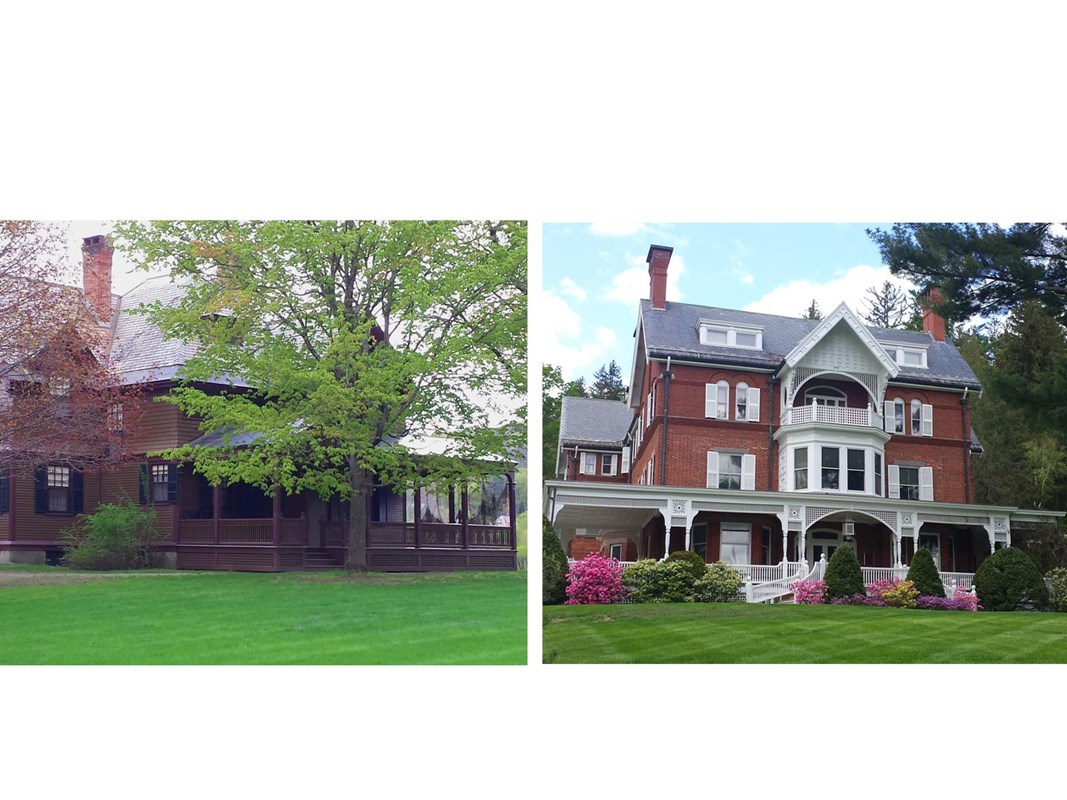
(245,619)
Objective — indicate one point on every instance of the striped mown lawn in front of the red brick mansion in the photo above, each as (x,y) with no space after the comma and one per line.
(788,634)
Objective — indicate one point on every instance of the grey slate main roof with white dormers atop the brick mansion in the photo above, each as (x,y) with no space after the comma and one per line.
(675,332)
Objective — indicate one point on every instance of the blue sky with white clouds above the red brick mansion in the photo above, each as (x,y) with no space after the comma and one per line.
(595,275)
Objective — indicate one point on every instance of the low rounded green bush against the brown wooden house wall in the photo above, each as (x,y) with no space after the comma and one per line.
(116,537)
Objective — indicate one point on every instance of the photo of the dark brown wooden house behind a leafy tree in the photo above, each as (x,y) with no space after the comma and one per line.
(266,442)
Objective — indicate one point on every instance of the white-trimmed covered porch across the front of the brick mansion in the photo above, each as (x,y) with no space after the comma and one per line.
(774,538)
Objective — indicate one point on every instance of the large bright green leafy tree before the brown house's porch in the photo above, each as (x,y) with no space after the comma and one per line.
(344,342)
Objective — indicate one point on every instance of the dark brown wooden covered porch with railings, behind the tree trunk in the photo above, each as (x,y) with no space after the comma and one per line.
(241,529)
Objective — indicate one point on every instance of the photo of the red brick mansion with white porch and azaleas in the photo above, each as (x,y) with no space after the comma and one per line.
(805,443)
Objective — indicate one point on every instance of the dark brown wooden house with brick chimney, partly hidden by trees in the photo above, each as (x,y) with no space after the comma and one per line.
(235,527)
